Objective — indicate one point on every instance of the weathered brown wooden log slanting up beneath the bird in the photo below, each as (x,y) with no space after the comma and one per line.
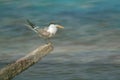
(10,71)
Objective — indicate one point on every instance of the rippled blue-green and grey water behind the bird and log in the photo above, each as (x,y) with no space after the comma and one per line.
(87,49)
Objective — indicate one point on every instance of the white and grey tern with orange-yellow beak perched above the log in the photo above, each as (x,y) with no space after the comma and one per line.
(46,32)
